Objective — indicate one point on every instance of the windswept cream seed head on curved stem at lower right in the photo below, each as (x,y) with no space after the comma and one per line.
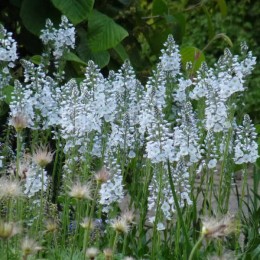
(219,228)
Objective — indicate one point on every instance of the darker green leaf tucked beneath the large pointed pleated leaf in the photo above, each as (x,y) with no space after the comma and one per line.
(101,58)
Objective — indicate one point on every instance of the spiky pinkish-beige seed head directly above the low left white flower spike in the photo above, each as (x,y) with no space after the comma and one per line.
(42,156)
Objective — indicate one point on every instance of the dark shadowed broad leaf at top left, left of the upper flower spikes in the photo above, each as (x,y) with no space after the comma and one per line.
(35,12)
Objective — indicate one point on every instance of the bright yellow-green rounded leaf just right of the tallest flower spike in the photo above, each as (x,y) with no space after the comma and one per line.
(193,55)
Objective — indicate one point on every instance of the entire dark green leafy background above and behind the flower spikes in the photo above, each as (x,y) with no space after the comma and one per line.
(109,32)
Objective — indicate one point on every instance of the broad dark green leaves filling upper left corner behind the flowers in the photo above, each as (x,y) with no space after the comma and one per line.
(98,34)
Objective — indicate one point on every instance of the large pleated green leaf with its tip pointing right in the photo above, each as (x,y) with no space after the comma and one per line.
(103,32)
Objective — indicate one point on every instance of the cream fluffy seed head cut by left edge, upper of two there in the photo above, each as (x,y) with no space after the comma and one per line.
(10,188)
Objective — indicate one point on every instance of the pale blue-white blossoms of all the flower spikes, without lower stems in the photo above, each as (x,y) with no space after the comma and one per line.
(117,119)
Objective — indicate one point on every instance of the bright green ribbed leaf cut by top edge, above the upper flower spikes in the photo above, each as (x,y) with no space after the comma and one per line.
(76,10)
